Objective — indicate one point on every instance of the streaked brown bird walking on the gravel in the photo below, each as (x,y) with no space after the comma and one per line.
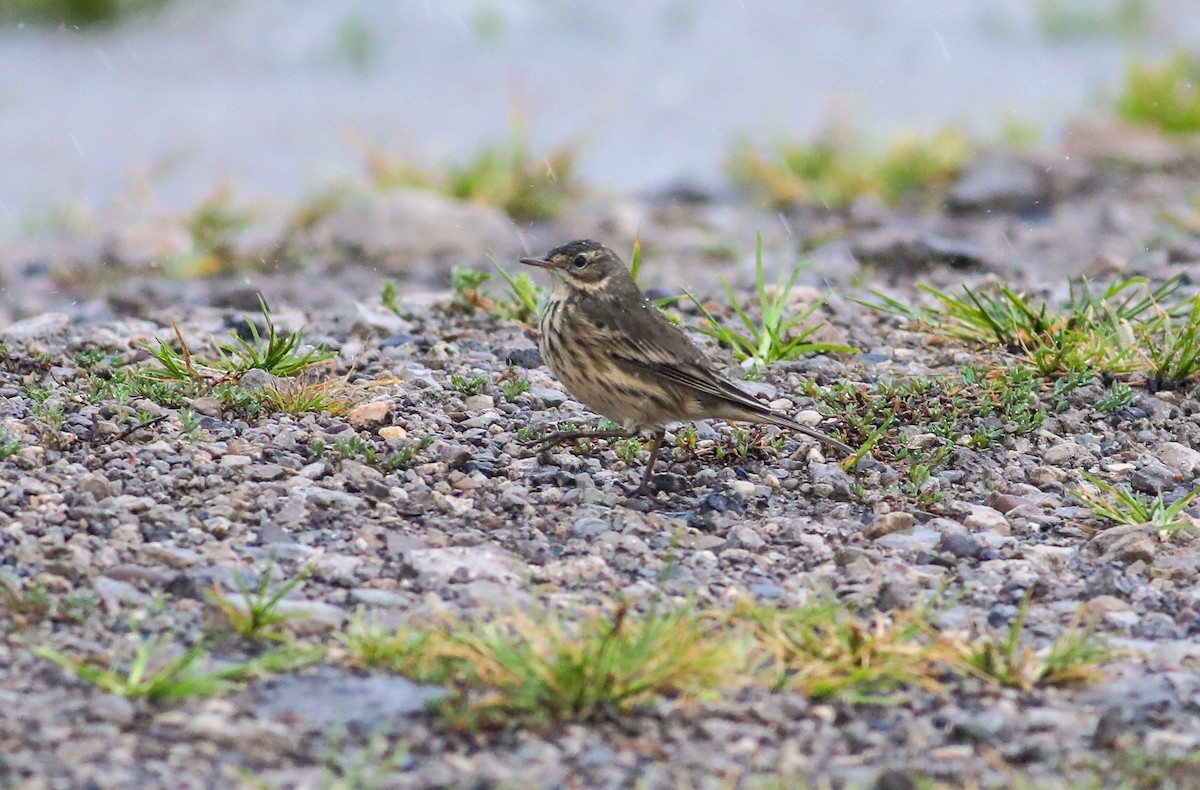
(621,357)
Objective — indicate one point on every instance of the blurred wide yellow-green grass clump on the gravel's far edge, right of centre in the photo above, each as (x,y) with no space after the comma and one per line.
(839,167)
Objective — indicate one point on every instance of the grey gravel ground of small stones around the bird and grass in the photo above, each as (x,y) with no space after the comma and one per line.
(127,530)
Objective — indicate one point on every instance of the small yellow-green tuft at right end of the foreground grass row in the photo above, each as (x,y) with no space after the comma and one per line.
(1072,659)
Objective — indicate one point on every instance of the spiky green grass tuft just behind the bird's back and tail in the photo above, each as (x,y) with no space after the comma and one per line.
(779,334)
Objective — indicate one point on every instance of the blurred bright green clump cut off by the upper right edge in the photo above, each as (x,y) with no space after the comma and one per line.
(1165,95)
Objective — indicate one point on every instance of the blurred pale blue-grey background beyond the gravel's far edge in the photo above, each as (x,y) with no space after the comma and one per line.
(166,101)
